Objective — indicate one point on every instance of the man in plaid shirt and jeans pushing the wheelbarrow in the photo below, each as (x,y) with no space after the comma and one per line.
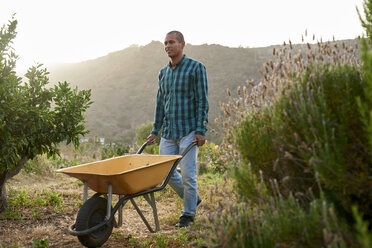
(182,111)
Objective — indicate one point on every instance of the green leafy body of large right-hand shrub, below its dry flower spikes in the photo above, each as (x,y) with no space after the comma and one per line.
(313,127)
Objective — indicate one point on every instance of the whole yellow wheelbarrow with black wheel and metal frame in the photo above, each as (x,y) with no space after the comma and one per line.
(127,176)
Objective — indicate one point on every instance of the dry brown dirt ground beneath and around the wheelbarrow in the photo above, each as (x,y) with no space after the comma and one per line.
(52,225)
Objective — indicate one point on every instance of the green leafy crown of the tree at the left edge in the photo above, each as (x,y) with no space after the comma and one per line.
(34,119)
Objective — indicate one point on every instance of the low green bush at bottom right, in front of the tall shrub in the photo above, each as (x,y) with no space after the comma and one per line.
(278,223)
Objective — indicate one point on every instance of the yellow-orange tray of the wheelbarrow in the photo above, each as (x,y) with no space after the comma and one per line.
(127,174)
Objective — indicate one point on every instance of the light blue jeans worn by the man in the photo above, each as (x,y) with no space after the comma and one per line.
(185,185)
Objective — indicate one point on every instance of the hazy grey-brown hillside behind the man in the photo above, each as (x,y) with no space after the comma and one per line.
(124,83)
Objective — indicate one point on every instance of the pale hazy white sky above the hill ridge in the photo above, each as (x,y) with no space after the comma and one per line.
(51,31)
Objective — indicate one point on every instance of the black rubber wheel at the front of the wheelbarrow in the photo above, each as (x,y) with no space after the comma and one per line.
(92,213)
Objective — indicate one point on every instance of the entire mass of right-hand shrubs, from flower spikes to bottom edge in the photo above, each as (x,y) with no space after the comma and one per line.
(303,170)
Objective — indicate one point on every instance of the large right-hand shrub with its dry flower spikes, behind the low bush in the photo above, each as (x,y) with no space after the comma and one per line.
(303,119)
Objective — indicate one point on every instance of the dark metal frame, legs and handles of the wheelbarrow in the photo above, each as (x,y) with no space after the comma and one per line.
(148,194)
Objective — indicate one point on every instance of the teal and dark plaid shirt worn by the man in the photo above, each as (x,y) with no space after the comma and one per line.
(182,100)
